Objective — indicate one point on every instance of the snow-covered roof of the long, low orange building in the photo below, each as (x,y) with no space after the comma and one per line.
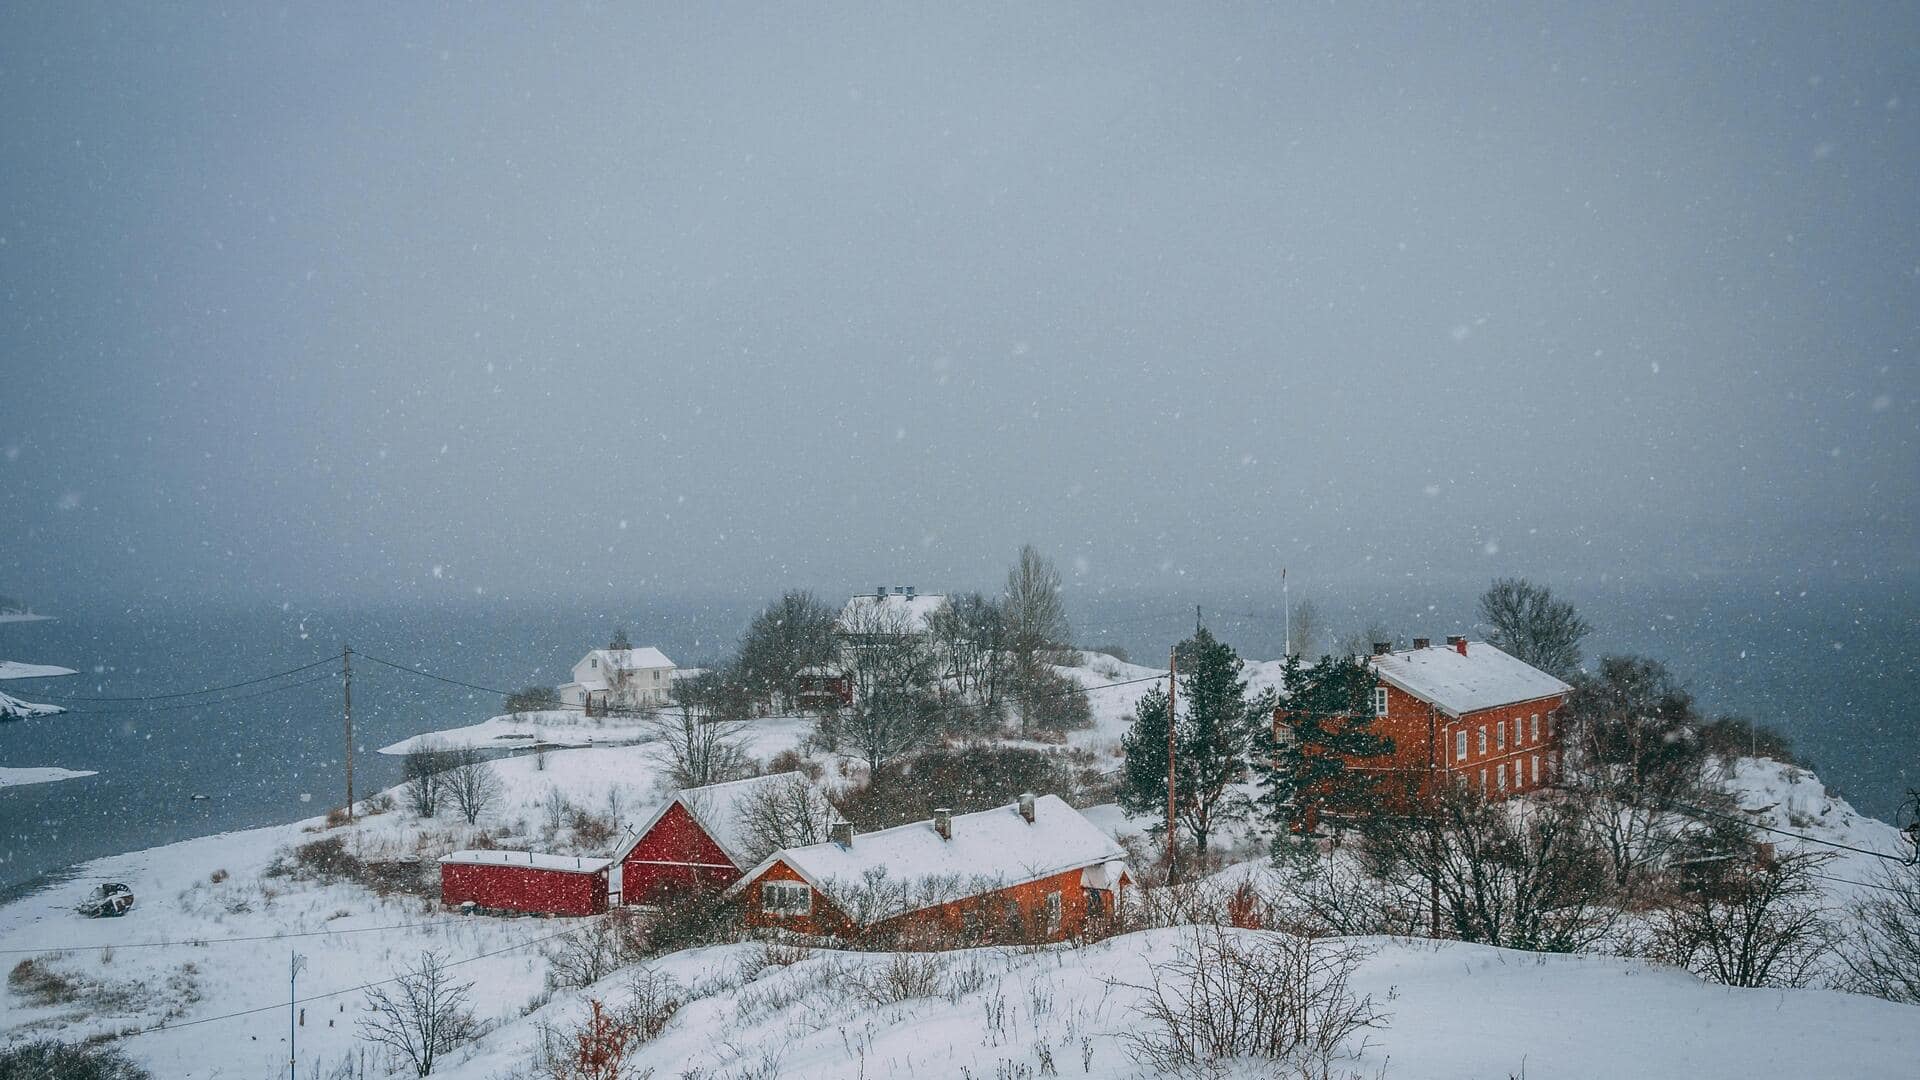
(909,868)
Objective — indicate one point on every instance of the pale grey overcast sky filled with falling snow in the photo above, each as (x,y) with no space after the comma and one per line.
(621,299)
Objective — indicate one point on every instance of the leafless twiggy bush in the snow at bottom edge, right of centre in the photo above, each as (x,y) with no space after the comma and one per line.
(1232,994)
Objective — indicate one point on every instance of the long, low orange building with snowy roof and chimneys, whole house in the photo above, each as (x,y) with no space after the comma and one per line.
(1026,871)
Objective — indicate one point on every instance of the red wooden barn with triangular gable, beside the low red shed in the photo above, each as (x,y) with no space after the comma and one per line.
(702,839)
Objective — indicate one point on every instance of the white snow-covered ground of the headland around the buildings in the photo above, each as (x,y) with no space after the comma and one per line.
(197,975)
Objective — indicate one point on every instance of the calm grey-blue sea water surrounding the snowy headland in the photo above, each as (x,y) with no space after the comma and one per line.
(1829,666)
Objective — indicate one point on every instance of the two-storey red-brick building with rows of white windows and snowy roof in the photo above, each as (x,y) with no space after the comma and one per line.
(1470,714)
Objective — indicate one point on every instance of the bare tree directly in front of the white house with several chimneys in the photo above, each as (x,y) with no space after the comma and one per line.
(894,702)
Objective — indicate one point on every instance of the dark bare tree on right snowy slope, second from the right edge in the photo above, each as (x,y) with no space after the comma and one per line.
(1748,914)
